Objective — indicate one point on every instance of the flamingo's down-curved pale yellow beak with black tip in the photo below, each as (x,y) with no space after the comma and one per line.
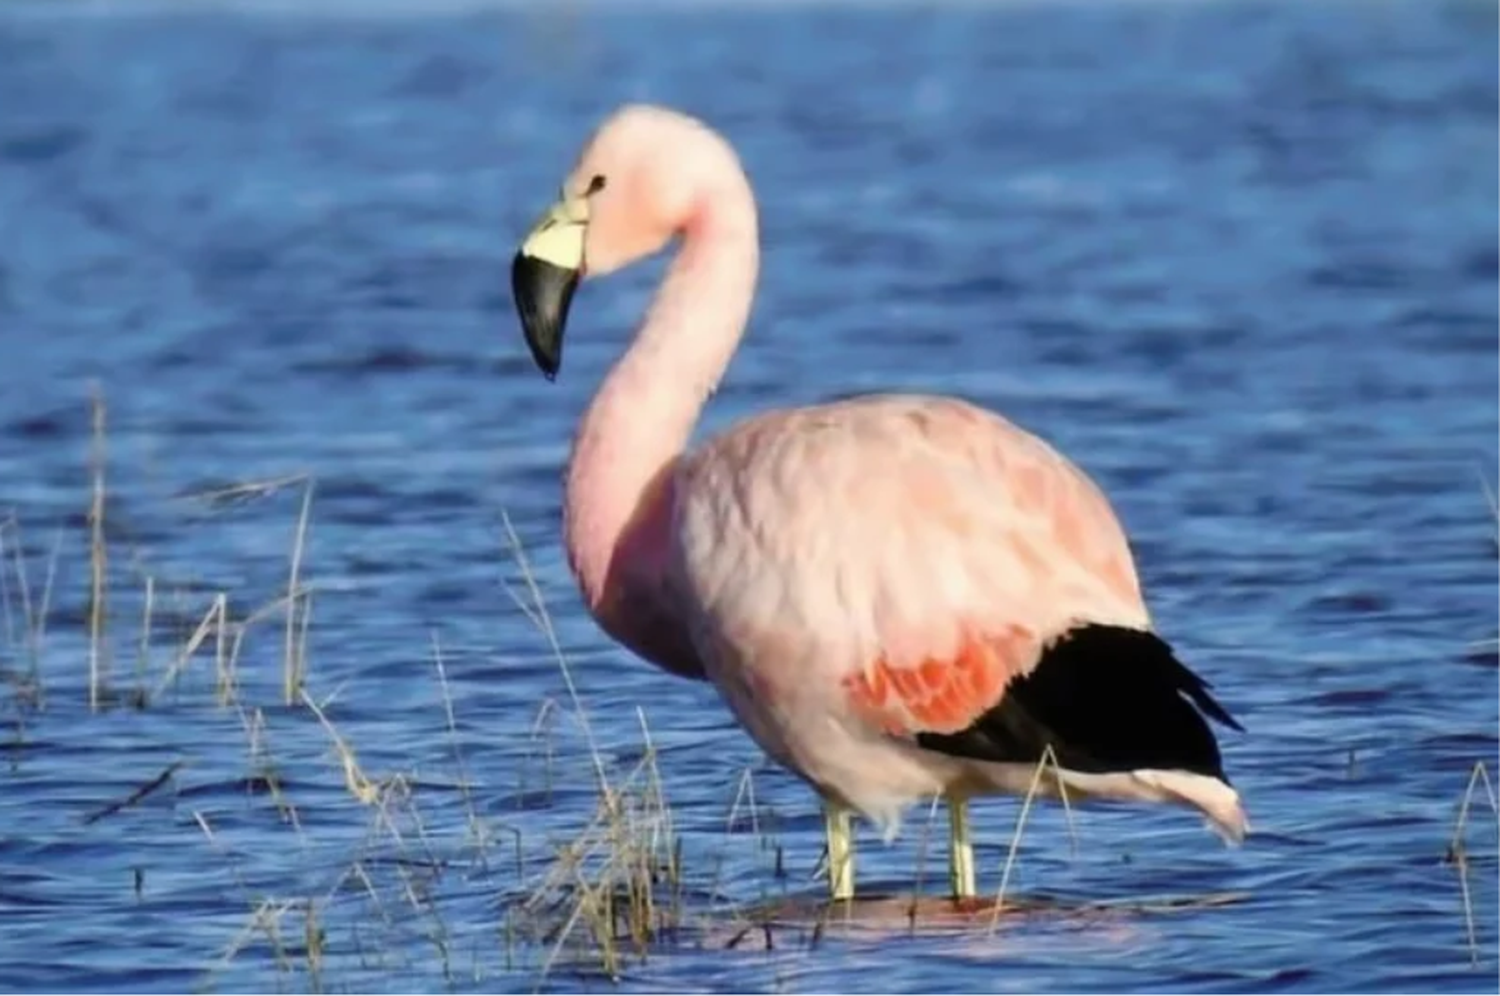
(544,277)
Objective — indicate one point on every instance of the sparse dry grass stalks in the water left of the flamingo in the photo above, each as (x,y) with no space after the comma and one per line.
(610,893)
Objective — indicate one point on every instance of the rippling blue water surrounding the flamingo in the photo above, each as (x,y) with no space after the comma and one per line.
(1240,262)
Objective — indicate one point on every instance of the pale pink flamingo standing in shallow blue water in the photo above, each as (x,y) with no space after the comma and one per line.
(898,596)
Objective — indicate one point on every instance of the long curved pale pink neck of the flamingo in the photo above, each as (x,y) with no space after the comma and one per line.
(646,410)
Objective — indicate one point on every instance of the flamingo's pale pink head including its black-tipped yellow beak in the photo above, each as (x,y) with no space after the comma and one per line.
(634,188)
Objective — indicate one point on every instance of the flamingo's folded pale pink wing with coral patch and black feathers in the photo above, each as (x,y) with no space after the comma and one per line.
(959,583)
